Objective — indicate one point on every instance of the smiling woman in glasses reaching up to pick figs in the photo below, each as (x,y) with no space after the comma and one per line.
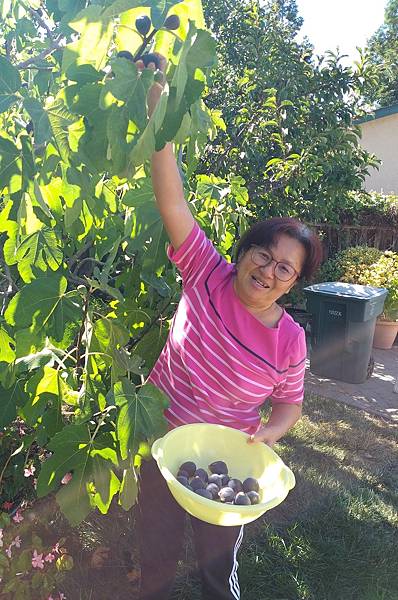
(230,347)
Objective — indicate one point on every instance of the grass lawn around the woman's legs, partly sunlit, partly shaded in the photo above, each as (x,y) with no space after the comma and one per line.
(335,537)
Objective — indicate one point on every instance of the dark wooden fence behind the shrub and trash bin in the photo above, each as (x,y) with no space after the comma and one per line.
(339,237)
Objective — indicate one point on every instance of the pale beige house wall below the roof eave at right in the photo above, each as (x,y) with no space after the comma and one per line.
(380,136)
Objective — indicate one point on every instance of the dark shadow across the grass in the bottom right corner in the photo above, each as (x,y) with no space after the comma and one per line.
(341,553)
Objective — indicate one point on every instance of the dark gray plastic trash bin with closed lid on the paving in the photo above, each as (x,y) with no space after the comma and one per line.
(343,322)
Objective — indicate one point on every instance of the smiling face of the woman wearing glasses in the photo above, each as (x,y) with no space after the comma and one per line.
(258,287)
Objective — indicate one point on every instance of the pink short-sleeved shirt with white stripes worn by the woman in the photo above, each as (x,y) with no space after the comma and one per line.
(220,363)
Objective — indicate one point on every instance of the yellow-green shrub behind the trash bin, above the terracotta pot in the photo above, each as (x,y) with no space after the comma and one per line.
(367,266)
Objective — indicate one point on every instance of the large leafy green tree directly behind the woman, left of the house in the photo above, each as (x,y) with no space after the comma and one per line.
(288,115)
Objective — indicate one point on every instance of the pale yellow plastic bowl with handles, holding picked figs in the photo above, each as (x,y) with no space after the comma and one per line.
(204,443)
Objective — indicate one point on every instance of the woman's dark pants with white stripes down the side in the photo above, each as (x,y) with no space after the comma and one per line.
(160,528)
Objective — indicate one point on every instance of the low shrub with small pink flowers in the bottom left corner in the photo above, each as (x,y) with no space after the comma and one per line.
(29,569)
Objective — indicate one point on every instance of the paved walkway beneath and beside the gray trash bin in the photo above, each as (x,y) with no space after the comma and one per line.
(376,395)
